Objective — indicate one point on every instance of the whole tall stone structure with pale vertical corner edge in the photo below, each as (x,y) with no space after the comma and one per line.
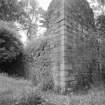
(69,20)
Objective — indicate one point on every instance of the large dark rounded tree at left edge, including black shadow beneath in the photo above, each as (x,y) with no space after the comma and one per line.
(11,51)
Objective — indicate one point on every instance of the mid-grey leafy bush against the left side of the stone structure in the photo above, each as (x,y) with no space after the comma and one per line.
(38,61)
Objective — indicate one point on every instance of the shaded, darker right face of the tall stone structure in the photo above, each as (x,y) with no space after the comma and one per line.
(78,24)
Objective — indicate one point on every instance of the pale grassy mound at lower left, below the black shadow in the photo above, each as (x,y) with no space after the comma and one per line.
(15,91)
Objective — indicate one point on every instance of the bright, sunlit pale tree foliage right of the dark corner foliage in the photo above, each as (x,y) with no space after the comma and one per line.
(29,21)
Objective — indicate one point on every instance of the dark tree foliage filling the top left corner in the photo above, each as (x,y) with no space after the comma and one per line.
(10,10)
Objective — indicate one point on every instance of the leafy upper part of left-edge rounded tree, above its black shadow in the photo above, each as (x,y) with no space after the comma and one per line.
(10,45)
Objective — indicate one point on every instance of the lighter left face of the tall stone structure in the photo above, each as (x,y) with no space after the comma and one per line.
(56,35)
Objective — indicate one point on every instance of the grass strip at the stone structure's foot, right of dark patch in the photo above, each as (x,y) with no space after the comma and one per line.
(95,96)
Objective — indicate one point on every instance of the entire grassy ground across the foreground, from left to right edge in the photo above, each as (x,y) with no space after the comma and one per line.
(22,92)
